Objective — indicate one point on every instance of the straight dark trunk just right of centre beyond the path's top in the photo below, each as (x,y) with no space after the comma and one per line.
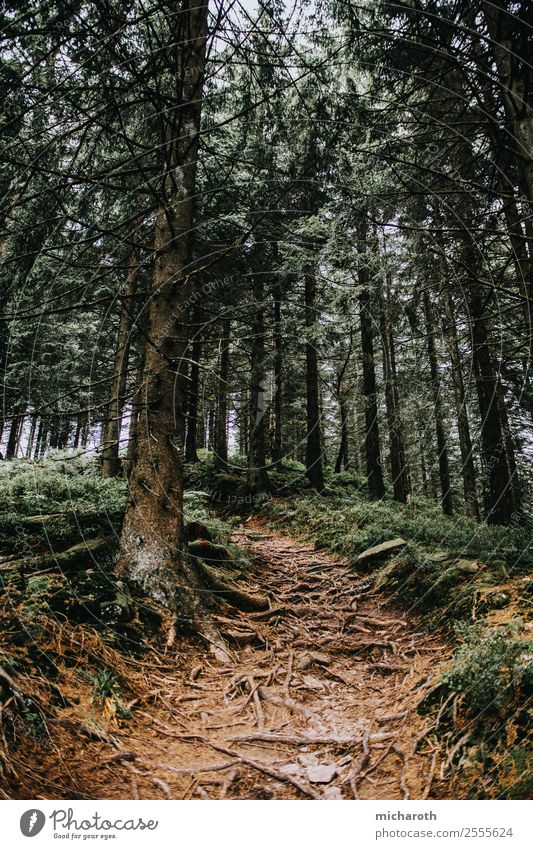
(313,454)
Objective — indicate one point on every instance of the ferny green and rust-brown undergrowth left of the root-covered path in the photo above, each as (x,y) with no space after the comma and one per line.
(56,644)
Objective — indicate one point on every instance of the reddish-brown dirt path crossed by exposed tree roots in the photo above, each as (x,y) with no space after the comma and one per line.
(318,703)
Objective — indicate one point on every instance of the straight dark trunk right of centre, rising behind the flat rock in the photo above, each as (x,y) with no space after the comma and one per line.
(376,487)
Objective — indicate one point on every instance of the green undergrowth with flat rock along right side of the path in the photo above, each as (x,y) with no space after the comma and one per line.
(457,575)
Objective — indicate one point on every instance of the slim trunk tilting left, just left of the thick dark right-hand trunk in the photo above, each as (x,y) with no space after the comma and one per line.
(463,427)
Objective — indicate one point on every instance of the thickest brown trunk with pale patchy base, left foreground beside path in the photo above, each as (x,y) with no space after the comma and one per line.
(152,533)
